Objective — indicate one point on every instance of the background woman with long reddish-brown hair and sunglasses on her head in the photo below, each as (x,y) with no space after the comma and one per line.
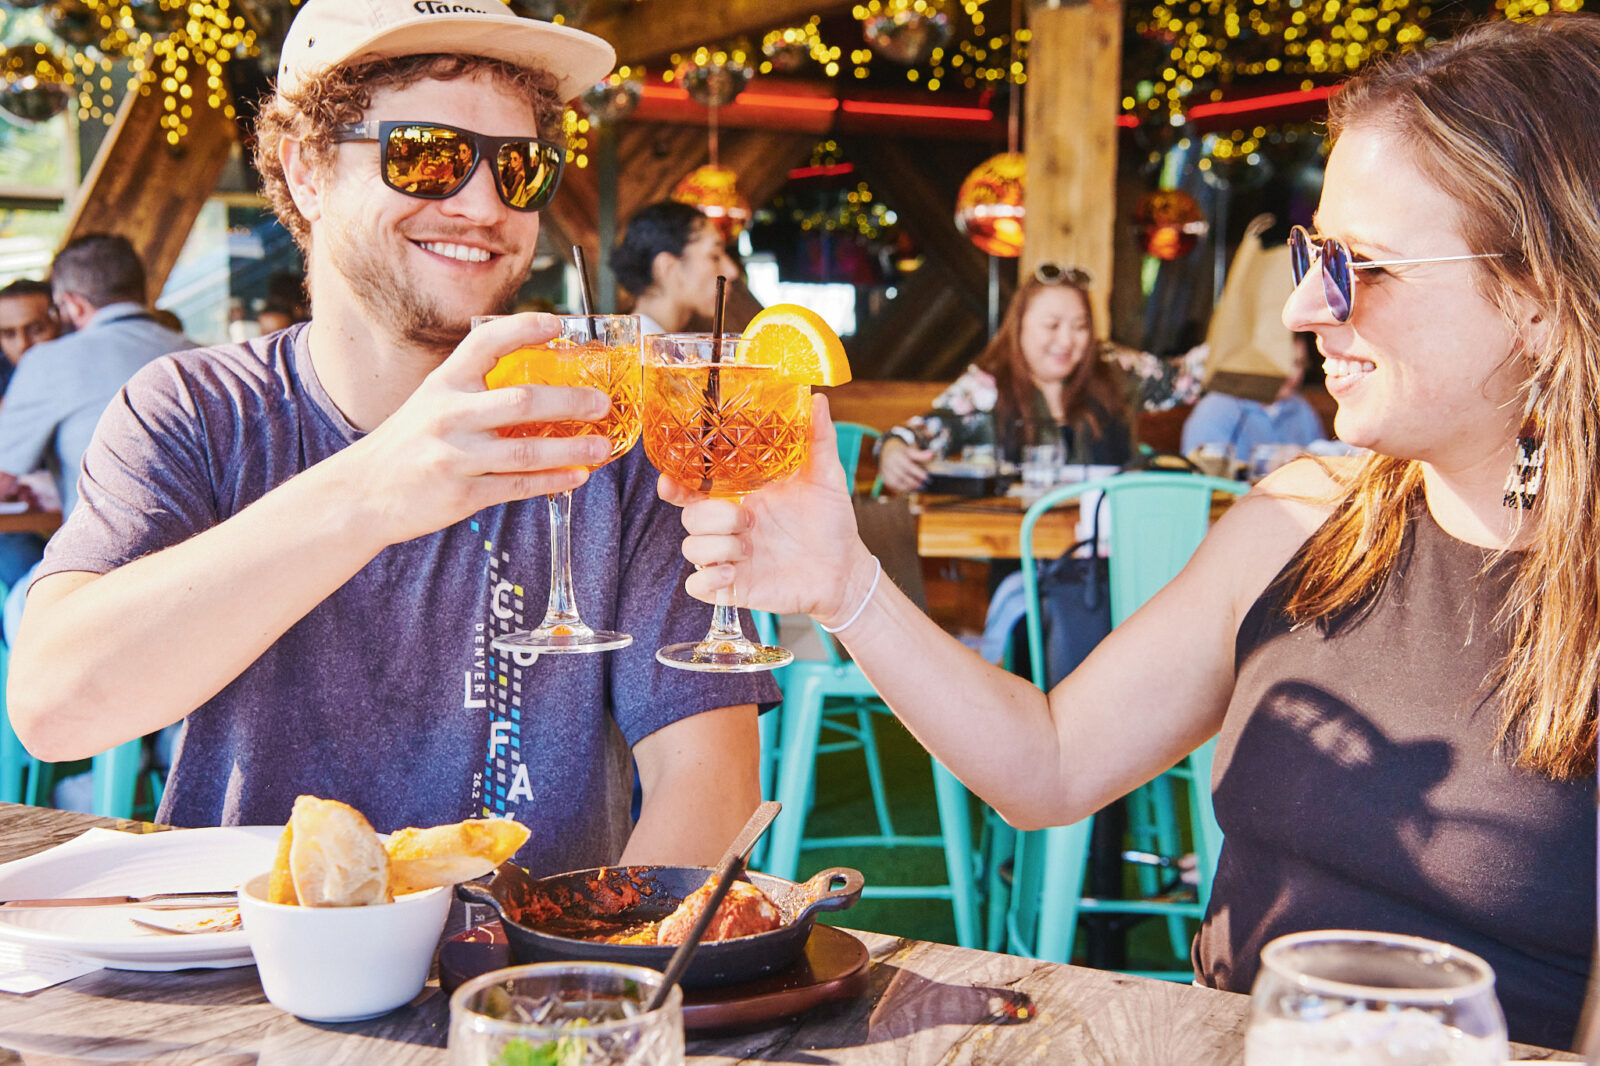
(1041,369)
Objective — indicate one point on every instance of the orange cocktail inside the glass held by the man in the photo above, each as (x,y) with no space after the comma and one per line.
(593,364)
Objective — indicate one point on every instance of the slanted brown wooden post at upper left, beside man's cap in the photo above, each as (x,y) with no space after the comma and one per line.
(151,191)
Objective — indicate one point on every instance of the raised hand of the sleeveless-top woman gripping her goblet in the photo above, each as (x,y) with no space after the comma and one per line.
(791,548)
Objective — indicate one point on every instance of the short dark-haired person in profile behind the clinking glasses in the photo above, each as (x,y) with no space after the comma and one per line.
(670,258)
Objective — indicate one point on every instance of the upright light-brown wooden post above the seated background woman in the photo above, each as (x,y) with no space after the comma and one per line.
(1074,78)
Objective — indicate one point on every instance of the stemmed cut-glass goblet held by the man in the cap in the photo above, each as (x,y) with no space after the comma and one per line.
(602,353)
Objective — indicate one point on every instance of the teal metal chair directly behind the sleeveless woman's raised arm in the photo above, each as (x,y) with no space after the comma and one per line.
(1158,519)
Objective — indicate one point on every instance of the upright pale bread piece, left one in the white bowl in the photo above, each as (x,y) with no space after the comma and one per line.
(335,857)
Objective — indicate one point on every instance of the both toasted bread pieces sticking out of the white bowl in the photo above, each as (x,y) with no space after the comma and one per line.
(329,856)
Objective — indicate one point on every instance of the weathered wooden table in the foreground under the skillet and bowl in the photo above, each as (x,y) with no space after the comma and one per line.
(927,1004)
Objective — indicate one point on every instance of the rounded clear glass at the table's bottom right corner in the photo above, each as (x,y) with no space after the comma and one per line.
(1340,998)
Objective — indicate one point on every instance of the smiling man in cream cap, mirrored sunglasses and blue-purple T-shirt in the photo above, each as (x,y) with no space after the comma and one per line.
(308,543)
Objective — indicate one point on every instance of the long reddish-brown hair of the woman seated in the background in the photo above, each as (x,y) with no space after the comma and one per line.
(1092,393)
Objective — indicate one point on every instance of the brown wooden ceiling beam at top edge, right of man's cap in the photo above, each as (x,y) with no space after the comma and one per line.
(652,30)
